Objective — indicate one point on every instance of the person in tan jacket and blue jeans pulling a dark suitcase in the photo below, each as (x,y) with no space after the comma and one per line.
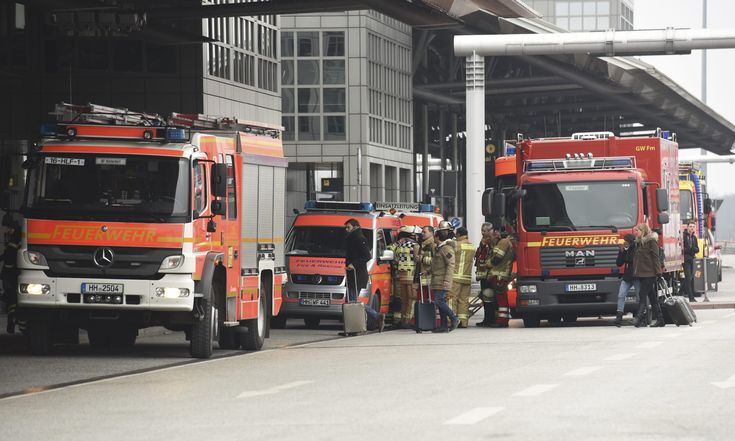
(442,269)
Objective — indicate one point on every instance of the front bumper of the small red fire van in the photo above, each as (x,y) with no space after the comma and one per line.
(296,297)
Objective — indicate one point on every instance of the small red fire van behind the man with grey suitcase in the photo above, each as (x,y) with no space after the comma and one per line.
(316,286)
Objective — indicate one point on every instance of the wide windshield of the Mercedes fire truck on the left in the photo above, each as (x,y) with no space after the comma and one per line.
(109,188)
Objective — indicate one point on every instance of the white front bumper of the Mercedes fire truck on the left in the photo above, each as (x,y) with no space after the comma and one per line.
(138,295)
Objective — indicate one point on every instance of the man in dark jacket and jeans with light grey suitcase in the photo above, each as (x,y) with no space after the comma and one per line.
(357,255)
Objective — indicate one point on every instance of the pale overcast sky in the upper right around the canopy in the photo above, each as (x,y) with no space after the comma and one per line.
(686,70)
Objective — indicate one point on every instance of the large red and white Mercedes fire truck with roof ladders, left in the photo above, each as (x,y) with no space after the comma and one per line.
(134,221)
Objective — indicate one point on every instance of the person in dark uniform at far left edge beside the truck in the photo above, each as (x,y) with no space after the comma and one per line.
(10,271)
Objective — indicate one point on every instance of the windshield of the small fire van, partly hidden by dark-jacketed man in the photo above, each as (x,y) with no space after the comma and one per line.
(321,241)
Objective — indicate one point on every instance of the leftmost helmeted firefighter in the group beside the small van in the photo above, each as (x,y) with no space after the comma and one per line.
(405,251)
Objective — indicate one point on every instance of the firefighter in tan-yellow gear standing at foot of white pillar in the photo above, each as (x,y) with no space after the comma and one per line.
(462,277)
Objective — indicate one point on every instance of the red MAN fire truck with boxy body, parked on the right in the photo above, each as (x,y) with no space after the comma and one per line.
(577,197)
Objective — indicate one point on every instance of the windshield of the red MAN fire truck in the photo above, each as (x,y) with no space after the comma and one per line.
(572,206)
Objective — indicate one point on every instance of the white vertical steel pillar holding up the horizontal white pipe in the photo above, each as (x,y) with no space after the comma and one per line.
(475,147)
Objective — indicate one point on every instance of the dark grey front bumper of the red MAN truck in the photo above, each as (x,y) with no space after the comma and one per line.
(554,297)
